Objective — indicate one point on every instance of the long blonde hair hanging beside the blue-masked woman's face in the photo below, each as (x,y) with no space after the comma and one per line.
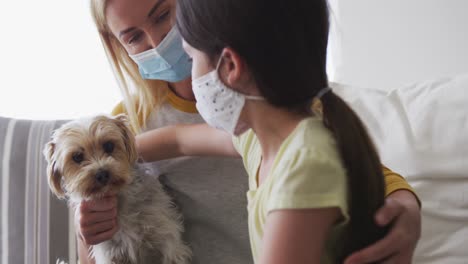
(140,96)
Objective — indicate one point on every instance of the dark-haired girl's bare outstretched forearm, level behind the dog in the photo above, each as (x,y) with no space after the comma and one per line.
(184,140)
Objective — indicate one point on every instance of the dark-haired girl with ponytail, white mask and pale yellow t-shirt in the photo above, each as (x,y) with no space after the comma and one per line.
(315,180)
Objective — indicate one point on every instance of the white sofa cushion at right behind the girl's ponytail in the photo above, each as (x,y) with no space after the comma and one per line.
(421,131)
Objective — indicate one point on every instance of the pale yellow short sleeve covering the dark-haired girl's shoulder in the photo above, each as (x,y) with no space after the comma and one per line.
(308,172)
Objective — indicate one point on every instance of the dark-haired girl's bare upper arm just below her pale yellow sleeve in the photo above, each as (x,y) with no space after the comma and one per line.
(296,236)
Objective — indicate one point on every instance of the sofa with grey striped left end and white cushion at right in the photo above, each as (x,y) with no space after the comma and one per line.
(420,130)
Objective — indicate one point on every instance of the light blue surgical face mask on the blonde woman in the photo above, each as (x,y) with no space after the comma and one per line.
(167,62)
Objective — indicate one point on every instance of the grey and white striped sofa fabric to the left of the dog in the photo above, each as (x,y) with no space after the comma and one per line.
(35,227)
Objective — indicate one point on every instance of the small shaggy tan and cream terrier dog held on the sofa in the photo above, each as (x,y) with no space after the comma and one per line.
(89,158)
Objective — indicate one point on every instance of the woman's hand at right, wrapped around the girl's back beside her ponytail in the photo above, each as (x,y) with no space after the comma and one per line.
(402,209)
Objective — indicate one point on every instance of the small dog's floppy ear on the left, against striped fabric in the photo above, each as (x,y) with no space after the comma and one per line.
(53,174)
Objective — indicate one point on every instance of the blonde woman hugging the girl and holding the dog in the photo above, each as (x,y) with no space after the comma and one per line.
(216,225)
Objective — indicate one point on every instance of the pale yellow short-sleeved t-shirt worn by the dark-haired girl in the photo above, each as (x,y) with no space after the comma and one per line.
(307,173)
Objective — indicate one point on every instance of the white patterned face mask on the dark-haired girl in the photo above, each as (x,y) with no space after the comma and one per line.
(219,105)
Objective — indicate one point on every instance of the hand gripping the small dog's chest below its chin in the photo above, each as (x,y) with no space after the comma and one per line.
(96,220)
